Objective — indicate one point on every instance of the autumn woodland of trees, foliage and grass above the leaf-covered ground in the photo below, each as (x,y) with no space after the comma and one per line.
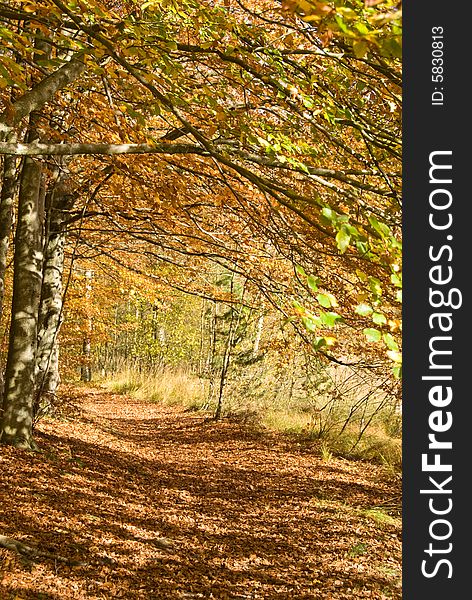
(201,207)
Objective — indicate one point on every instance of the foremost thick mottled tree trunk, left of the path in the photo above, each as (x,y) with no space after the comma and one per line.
(17,419)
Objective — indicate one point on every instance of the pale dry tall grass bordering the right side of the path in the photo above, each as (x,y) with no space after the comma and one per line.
(356,425)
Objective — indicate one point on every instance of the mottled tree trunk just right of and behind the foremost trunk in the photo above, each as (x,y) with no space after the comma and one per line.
(47,377)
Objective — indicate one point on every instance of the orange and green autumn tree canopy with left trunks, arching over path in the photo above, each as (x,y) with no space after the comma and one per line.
(171,136)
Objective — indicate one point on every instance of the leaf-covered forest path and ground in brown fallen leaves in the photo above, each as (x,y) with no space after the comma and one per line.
(138,500)
